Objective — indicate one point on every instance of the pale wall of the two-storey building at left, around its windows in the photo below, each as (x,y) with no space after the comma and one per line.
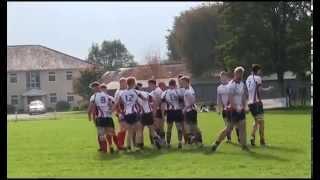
(61,86)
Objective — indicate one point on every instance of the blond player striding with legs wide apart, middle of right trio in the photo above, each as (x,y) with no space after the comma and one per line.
(236,110)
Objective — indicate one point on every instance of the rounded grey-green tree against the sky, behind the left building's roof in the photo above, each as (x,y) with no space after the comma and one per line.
(112,55)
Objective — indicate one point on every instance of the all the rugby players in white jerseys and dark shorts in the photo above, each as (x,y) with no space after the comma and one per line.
(136,107)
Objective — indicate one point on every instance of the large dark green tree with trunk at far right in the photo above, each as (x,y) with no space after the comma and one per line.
(274,34)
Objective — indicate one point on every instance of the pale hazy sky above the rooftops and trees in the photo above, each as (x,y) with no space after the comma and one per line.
(72,27)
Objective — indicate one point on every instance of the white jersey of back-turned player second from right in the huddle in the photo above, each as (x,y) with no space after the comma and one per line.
(171,97)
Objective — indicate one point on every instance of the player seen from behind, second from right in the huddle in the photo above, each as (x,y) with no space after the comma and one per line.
(174,111)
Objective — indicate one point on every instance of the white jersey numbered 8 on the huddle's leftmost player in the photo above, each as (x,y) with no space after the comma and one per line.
(103,104)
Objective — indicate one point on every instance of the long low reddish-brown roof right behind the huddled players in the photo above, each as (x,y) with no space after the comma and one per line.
(148,71)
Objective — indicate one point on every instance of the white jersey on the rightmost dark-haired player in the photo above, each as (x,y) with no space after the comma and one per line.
(253,81)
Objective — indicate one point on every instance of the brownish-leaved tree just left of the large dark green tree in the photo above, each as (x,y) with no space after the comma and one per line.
(194,38)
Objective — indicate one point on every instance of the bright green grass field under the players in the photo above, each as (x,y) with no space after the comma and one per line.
(67,147)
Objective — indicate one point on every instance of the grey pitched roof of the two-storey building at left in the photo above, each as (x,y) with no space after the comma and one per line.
(37,57)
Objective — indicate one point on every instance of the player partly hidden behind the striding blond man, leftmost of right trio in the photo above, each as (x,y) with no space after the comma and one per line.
(222,101)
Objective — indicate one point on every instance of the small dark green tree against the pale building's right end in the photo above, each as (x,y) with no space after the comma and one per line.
(87,76)
